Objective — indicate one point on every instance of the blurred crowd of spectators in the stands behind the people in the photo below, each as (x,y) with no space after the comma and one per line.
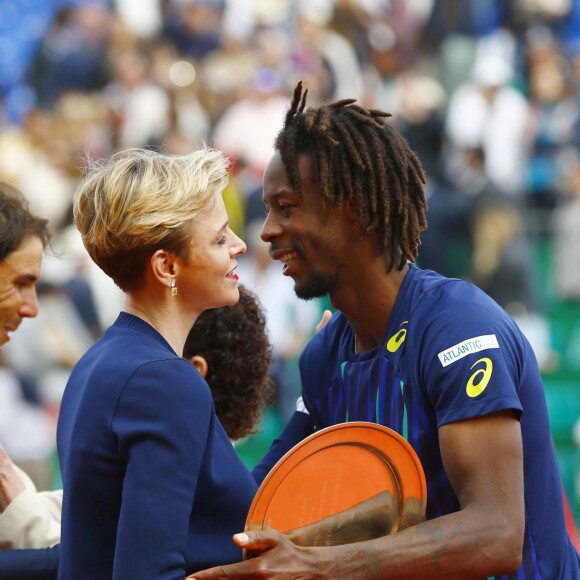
(486,91)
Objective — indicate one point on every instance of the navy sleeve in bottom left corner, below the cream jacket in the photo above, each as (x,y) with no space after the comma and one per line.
(29,564)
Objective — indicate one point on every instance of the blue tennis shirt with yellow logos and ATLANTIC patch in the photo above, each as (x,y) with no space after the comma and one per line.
(449,353)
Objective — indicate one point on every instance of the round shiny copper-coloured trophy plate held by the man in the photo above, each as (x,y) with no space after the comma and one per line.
(326,478)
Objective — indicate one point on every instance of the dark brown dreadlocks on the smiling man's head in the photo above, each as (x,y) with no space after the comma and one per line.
(360,160)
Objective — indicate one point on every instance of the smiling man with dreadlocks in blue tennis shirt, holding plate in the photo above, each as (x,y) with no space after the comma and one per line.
(433,358)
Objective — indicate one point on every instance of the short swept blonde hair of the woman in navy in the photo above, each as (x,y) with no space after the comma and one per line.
(139,201)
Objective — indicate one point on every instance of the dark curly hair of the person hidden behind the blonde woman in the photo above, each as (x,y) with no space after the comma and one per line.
(235,345)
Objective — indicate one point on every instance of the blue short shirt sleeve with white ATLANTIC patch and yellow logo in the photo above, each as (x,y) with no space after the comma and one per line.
(470,361)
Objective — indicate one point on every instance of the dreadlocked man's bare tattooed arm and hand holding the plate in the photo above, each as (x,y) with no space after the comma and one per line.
(483,459)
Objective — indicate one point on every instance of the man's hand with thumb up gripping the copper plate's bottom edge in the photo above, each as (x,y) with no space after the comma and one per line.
(278,558)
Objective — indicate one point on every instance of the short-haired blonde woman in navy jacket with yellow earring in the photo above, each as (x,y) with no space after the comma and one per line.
(152,485)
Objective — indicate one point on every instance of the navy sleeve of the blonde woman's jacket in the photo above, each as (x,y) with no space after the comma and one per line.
(162,423)
